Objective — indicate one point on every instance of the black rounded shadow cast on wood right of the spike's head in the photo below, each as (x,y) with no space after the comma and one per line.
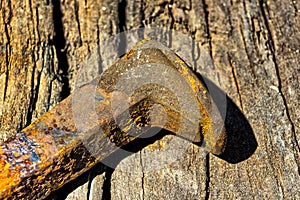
(241,141)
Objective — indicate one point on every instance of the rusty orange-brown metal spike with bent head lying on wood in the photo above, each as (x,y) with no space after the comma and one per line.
(53,150)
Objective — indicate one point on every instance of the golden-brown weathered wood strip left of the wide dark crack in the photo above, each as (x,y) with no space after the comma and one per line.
(31,77)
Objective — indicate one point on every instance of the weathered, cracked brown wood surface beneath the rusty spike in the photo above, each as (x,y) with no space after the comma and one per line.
(255,45)
